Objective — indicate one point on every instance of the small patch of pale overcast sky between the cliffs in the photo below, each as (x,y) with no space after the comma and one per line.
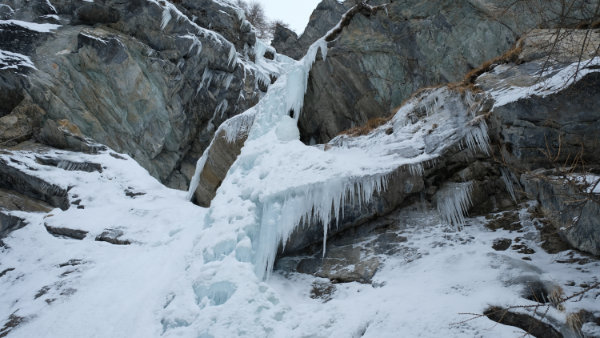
(295,12)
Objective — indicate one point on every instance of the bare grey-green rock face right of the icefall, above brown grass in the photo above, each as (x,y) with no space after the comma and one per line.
(380,61)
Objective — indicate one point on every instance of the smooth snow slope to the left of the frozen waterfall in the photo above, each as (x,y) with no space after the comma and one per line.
(113,283)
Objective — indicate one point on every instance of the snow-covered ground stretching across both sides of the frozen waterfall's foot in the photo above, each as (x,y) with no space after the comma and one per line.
(63,287)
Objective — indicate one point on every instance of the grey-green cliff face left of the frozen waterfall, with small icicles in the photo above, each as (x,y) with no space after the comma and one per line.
(146,79)
